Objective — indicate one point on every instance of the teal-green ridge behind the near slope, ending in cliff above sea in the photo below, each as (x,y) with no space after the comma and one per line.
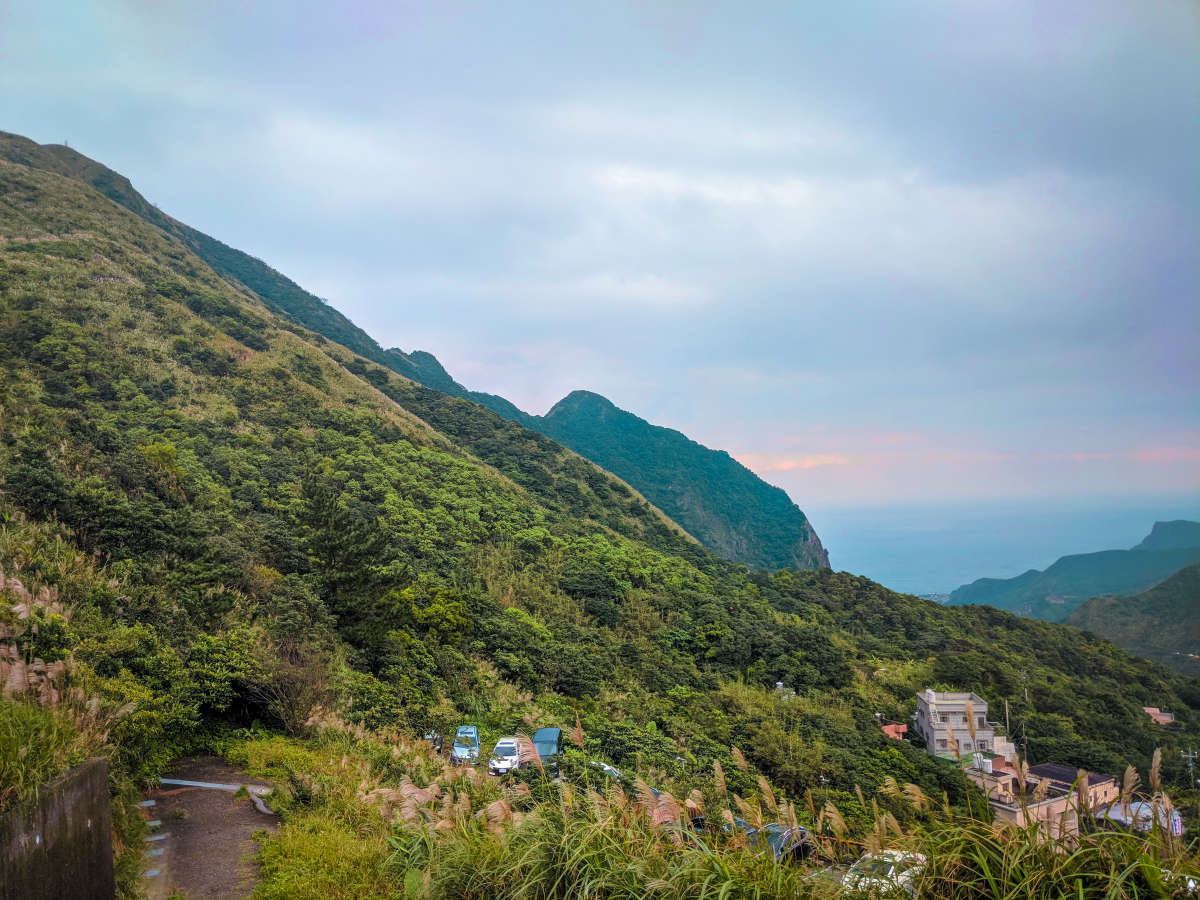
(710,495)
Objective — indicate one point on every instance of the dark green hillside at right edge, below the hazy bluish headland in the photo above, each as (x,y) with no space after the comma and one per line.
(1162,625)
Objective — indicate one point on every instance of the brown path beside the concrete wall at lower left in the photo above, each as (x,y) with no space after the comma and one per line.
(206,836)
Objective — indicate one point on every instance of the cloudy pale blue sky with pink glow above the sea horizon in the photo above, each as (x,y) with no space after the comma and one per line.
(891,256)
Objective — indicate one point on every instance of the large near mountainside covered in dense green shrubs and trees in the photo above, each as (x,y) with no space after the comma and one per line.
(218,520)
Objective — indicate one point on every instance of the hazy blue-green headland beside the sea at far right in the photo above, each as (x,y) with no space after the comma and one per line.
(1069,583)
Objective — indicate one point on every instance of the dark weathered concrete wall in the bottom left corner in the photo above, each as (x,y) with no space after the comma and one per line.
(63,845)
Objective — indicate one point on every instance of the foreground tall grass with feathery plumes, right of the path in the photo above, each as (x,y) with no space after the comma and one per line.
(374,815)
